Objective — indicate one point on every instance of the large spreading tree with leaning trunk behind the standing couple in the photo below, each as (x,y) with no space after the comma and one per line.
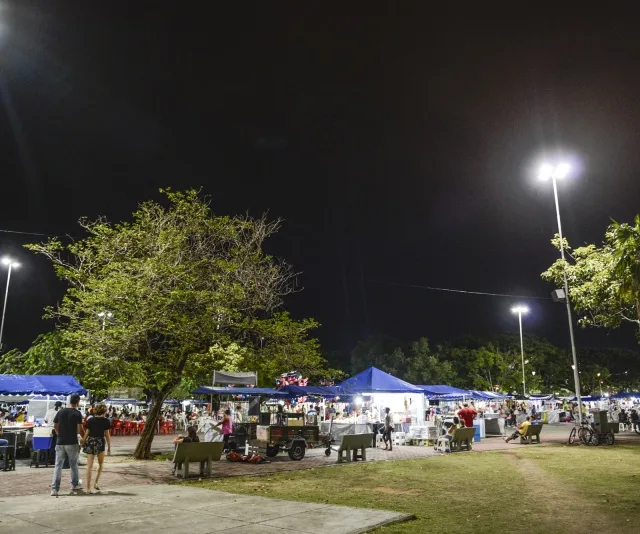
(173,294)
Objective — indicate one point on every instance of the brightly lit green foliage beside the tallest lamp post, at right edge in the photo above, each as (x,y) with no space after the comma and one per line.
(604,281)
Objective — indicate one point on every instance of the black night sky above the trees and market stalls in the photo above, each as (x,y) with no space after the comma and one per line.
(397,143)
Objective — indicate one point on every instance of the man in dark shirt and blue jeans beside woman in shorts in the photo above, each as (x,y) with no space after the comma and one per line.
(67,424)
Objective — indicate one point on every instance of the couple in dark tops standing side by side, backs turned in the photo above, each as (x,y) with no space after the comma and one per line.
(94,440)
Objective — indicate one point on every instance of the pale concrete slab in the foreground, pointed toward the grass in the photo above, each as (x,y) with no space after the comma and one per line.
(173,509)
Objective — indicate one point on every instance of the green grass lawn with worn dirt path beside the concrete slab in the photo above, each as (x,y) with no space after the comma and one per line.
(550,489)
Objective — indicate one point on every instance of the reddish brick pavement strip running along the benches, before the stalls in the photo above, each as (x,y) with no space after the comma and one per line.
(123,470)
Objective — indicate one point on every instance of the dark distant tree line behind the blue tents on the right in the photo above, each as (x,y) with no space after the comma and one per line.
(495,364)
